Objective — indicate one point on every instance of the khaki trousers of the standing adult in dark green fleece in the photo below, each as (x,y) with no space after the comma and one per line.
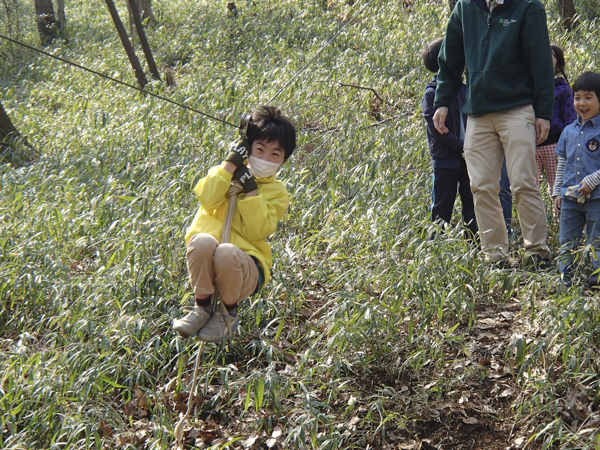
(488,139)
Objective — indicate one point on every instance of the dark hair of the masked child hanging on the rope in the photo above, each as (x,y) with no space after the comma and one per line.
(268,124)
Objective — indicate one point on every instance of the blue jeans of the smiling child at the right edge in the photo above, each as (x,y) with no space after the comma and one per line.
(573,216)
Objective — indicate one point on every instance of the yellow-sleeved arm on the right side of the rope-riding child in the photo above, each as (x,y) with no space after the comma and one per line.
(261,213)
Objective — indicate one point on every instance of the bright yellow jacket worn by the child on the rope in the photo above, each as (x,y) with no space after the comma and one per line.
(254,218)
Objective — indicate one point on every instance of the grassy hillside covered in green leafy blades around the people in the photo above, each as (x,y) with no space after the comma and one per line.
(369,336)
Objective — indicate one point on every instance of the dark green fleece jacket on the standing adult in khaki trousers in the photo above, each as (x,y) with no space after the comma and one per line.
(507,56)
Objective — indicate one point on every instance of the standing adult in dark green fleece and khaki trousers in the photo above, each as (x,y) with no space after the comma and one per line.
(505,47)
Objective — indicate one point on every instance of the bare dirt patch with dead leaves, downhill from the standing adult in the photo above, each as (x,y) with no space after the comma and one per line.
(469,403)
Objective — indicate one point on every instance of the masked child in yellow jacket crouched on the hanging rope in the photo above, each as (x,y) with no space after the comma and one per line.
(241,267)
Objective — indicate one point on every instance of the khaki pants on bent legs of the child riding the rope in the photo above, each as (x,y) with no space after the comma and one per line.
(223,267)
